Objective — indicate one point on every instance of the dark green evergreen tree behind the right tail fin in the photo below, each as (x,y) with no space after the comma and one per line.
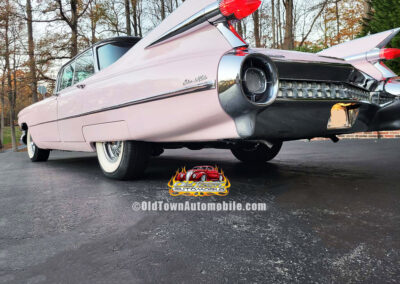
(384,15)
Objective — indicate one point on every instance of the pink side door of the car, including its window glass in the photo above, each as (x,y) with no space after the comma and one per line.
(72,97)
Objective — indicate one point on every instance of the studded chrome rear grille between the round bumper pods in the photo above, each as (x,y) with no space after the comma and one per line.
(321,91)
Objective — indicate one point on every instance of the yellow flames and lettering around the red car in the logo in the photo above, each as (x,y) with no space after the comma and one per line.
(198,189)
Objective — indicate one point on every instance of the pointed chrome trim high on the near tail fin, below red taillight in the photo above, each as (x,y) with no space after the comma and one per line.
(201,17)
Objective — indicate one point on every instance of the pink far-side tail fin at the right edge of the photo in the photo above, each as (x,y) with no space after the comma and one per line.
(366,53)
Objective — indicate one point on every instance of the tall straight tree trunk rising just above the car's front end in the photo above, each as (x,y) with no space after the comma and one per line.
(31,51)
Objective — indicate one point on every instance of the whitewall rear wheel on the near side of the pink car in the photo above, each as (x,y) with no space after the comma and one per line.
(123,160)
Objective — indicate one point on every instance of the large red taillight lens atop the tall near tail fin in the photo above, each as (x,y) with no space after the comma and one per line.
(239,8)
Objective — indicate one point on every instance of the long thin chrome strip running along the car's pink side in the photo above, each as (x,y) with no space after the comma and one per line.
(184,91)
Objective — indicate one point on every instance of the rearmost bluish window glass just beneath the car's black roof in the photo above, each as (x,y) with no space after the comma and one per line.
(110,53)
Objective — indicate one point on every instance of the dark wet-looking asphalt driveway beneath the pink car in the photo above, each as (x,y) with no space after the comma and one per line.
(333,216)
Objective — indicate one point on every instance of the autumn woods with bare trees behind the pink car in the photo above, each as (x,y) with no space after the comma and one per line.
(38,36)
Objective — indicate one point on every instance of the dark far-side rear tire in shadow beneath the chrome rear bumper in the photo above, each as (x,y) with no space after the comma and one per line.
(257,153)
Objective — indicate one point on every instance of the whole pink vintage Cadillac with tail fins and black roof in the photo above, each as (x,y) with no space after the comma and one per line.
(194,82)
